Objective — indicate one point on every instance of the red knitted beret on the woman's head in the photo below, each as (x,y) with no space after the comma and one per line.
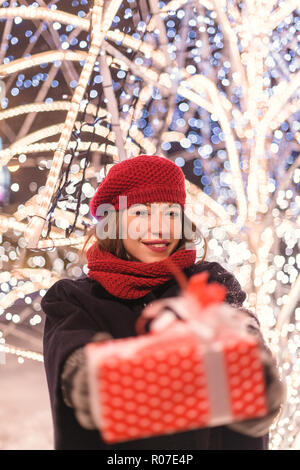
(146,178)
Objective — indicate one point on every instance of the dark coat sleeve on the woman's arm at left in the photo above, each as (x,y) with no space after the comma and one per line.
(68,326)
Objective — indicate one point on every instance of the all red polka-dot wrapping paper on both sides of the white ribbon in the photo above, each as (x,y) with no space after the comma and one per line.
(164,390)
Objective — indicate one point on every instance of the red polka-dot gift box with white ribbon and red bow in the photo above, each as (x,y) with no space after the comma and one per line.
(182,375)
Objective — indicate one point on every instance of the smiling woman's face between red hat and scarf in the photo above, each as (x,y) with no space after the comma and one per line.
(156,222)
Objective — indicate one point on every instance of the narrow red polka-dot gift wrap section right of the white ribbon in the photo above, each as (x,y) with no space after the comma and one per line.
(245,379)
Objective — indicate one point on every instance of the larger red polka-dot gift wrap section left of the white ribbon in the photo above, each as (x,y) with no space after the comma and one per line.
(161,391)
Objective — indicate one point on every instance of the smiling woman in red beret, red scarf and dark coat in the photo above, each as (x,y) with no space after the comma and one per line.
(140,209)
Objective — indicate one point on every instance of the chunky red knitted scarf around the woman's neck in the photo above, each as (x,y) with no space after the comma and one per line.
(132,279)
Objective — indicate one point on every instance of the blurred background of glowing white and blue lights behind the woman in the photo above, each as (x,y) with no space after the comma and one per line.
(213,85)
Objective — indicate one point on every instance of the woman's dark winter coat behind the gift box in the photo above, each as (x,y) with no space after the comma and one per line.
(76,310)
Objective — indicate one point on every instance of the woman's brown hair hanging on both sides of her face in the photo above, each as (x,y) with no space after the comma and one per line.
(116,247)
